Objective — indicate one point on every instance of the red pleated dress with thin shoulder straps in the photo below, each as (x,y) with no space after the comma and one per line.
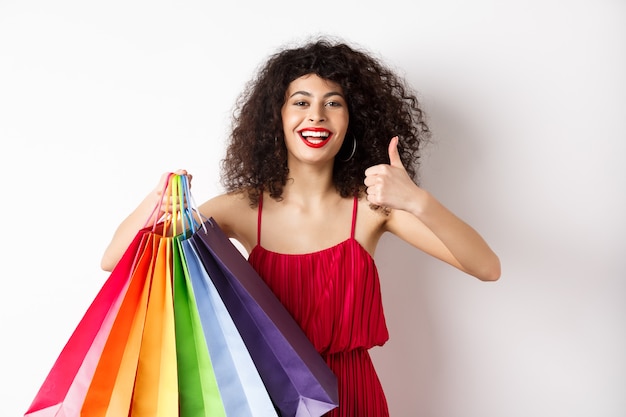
(334,295)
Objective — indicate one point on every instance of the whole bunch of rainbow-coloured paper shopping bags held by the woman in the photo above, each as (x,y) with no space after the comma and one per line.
(185,327)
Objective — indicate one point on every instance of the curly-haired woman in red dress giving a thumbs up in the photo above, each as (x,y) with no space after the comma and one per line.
(322,160)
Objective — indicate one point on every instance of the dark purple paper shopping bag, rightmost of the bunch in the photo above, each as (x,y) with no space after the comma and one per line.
(295,375)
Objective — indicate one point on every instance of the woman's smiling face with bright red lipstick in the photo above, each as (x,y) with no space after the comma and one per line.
(315,118)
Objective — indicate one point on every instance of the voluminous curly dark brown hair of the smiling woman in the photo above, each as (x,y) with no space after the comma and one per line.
(380,106)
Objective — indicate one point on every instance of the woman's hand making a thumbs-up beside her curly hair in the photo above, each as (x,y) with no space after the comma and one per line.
(389,185)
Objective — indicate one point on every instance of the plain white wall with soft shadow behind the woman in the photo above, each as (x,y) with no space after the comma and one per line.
(527,100)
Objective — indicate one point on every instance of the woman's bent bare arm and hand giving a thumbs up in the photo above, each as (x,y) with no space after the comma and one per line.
(418,218)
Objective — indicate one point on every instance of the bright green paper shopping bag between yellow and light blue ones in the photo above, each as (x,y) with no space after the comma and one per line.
(199,394)
